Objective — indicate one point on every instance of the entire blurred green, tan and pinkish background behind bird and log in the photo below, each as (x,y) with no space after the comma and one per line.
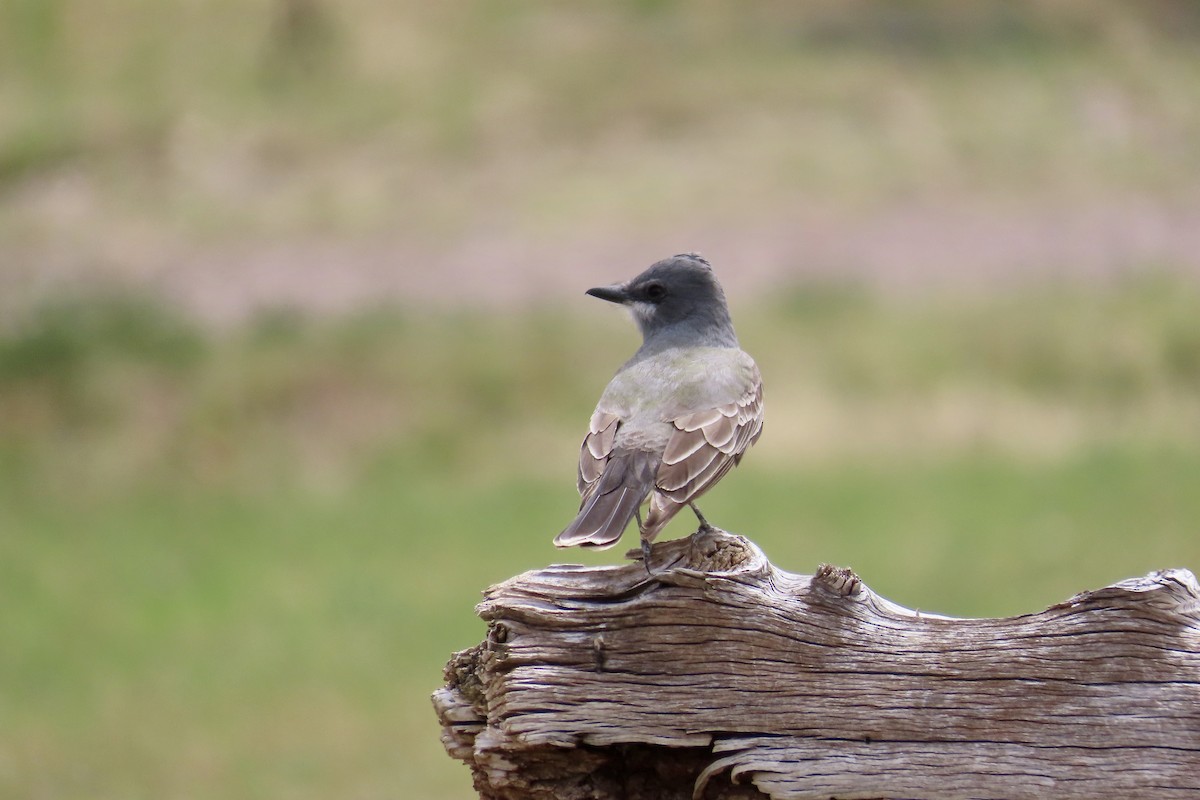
(295,357)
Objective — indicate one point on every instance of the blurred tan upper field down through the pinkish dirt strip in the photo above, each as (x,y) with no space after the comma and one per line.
(406,141)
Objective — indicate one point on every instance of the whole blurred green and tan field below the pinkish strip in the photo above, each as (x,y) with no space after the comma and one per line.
(232,567)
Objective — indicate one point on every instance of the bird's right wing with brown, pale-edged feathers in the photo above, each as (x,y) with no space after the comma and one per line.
(707,444)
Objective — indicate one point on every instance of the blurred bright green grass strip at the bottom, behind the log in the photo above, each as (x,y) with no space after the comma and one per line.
(202,647)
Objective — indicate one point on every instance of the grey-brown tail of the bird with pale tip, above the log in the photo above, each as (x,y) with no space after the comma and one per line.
(614,501)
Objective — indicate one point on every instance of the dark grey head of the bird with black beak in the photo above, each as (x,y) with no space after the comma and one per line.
(676,302)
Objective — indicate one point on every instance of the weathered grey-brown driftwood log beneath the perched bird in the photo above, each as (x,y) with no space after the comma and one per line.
(723,677)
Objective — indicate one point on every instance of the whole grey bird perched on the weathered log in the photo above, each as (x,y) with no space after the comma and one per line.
(676,418)
